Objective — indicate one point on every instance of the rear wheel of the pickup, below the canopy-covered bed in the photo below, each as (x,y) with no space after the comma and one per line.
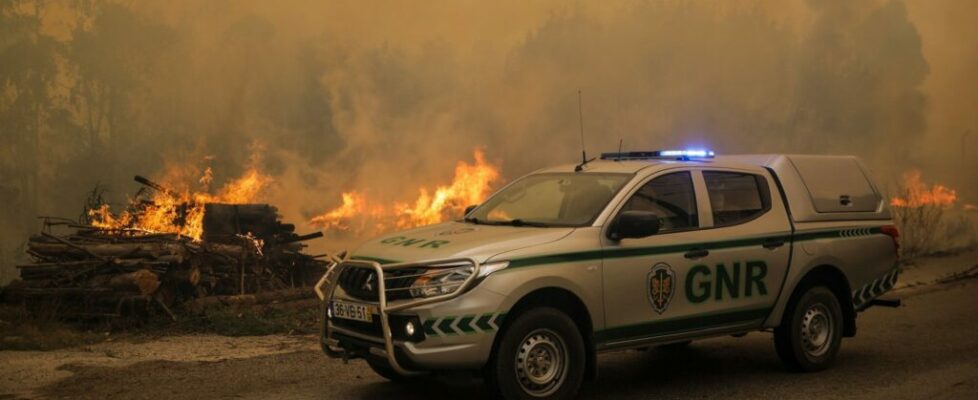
(810,333)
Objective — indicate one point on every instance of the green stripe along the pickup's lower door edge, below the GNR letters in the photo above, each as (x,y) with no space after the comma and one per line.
(679,325)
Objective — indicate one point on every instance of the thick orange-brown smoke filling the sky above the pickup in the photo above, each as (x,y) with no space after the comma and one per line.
(387,98)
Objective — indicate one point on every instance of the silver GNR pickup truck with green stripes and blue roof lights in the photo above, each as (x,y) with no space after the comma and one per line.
(634,250)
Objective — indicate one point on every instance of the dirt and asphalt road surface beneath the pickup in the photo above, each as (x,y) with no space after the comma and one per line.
(927,349)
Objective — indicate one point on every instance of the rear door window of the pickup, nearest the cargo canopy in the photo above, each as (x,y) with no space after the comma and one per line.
(736,197)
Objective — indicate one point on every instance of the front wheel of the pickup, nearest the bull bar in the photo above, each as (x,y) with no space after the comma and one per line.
(541,355)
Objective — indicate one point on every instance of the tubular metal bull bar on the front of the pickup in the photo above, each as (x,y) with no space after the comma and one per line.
(331,279)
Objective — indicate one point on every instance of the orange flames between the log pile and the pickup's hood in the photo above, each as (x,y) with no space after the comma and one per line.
(471,185)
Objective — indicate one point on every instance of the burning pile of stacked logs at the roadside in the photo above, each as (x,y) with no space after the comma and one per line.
(114,266)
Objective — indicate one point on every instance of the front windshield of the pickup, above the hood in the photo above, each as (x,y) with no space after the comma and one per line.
(552,199)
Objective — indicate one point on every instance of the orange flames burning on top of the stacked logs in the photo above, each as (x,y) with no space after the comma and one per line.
(182,212)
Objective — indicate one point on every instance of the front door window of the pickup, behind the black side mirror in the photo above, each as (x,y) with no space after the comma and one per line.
(671,197)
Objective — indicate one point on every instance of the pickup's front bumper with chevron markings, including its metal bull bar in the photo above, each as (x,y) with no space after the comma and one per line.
(453,332)
